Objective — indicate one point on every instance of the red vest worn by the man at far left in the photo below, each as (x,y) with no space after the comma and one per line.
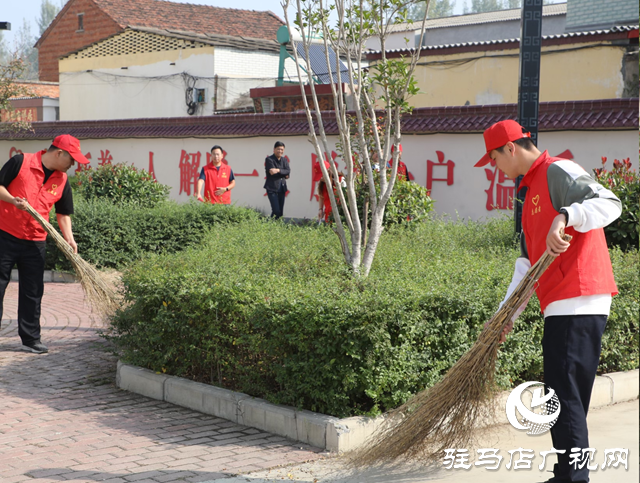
(42,197)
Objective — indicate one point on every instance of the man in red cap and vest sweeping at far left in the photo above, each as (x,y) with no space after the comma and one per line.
(40,180)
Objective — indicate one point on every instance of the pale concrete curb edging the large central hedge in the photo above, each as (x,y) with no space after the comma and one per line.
(318,430)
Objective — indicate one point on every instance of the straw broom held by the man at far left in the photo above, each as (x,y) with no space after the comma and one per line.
(99,291)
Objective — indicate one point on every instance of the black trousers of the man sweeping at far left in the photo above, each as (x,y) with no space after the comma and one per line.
(29,258)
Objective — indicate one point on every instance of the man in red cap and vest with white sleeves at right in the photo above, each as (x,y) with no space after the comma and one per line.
(576,290)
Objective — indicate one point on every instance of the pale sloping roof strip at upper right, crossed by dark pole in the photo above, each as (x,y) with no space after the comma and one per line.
(478,18)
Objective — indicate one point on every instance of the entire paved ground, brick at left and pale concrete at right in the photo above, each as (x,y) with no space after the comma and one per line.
(63,420)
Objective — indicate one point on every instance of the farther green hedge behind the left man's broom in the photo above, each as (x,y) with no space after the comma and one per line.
(113,236)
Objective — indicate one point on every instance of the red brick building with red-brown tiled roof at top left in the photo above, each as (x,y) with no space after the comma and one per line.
(83,22)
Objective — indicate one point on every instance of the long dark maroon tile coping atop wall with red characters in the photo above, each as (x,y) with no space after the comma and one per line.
(605,114)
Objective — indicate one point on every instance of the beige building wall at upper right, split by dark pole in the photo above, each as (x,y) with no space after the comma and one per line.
(492,77)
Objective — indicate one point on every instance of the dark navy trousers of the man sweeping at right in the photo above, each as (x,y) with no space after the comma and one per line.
(571,346)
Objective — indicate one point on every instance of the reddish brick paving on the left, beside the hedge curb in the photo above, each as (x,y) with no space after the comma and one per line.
(63,419)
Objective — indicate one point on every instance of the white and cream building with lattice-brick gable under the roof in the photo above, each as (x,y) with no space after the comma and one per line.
(145,73)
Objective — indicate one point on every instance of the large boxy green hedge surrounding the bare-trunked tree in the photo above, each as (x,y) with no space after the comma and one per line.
(270,310)
